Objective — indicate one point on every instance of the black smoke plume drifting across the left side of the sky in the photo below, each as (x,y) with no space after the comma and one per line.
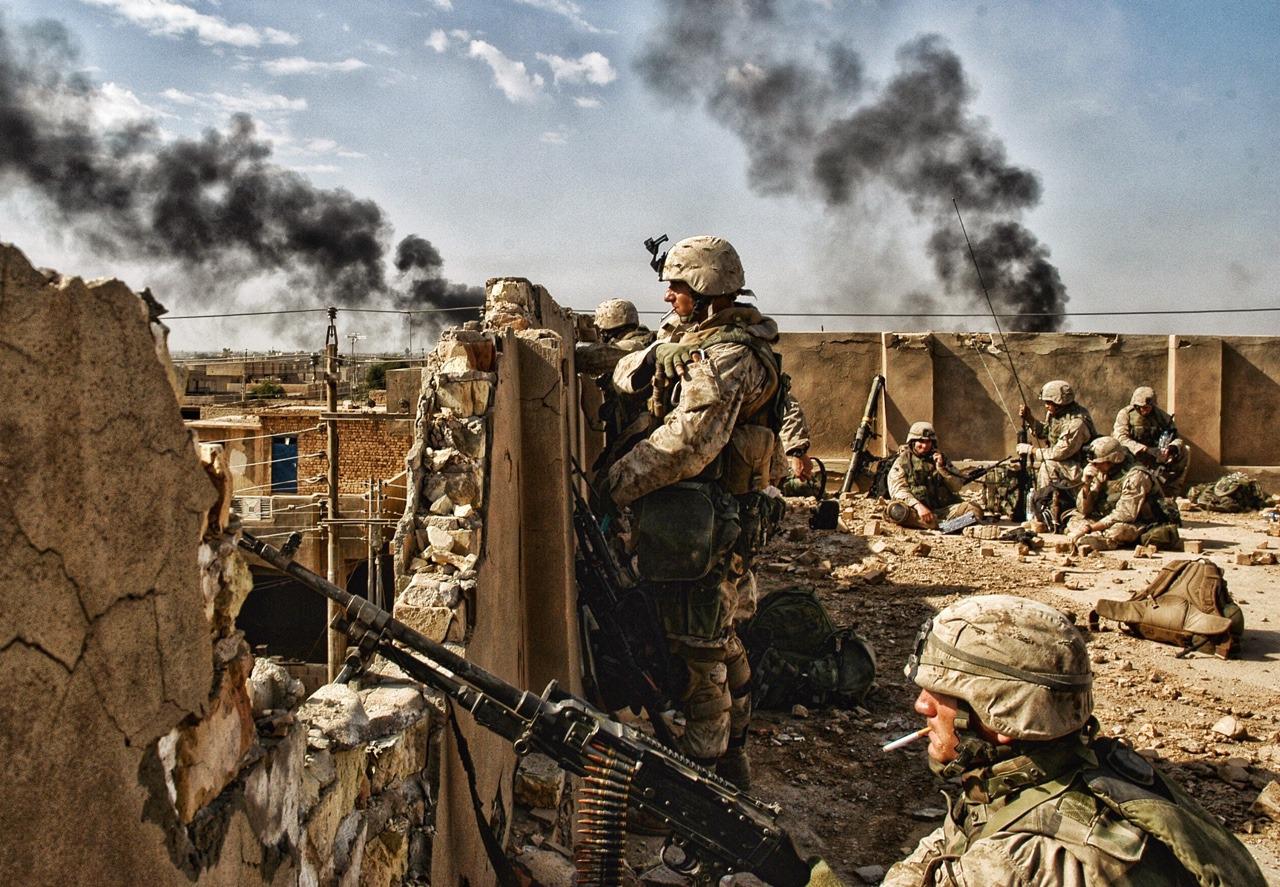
(217,205)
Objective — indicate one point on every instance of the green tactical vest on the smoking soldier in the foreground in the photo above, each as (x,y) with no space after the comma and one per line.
(1116,813)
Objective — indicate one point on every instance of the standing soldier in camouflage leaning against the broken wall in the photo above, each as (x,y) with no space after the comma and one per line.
(716,445)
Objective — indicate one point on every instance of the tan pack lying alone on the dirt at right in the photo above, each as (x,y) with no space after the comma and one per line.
(1186,605)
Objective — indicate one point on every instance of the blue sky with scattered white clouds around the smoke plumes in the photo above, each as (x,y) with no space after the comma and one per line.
(519,138)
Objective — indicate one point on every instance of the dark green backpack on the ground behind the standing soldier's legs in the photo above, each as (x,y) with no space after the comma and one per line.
(799,656)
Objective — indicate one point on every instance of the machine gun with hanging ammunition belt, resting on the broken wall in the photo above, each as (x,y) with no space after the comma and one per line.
(716,829)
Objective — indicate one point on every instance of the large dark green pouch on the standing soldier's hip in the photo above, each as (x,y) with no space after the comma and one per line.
(683,532)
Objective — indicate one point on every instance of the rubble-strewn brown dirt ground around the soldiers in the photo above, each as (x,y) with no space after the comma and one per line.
(860,807)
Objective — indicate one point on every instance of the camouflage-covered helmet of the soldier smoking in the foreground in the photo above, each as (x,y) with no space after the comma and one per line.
(1020,665)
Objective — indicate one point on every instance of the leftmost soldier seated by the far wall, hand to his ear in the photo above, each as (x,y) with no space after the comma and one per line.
(922,486)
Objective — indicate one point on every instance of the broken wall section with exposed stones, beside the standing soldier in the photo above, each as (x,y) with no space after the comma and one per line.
(484,551)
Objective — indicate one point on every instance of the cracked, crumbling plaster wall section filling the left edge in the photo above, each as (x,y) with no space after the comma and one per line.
(144,743)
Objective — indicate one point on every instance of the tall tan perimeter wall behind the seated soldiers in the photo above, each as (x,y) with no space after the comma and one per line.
(1224,392)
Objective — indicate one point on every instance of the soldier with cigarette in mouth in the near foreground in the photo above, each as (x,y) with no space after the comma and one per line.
(1008,694)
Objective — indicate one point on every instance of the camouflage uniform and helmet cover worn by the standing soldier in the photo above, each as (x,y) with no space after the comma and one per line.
(716,429)
